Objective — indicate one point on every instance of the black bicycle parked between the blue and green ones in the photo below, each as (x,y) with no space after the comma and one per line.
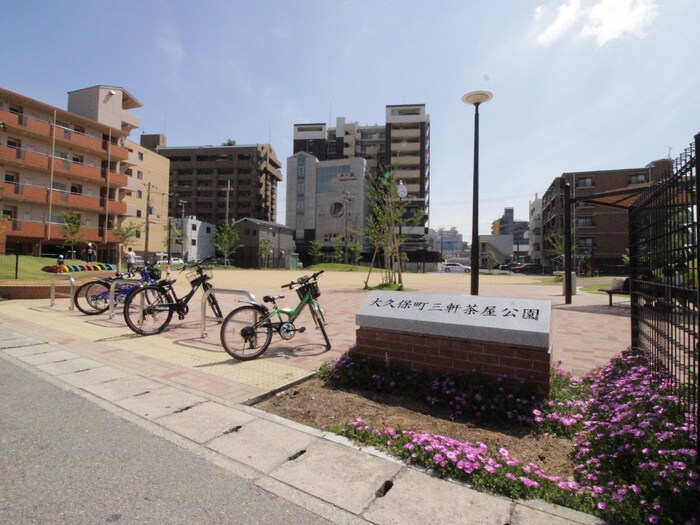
(149,309)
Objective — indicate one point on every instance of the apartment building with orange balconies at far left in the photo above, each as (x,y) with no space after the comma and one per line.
(55,161)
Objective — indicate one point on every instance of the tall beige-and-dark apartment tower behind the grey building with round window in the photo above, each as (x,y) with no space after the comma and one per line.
(401,144)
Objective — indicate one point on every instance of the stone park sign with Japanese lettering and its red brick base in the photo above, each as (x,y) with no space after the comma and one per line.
(492,336)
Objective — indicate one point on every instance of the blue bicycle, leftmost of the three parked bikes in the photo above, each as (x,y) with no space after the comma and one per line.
(92,297)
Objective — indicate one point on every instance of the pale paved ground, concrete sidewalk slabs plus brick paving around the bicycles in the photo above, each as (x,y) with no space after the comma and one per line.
(189,390)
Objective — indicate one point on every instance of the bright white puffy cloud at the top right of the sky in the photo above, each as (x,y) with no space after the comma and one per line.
(604,20)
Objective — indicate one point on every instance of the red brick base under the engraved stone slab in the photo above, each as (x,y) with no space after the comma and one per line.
(428,353)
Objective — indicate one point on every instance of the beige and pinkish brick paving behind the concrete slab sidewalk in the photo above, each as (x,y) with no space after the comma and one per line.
(584,335)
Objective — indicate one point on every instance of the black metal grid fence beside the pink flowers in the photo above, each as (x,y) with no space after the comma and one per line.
(664,275)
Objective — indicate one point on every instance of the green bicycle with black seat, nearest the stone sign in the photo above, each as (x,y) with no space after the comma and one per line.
(247,331)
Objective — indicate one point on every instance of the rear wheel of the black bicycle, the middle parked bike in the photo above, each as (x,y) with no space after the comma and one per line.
(148,310)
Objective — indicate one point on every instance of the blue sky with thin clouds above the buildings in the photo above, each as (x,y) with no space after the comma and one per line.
(578,85)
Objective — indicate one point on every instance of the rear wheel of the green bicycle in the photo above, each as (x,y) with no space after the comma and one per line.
(244,335)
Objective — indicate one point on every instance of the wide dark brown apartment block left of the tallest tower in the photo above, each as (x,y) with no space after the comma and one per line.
(220,184)
